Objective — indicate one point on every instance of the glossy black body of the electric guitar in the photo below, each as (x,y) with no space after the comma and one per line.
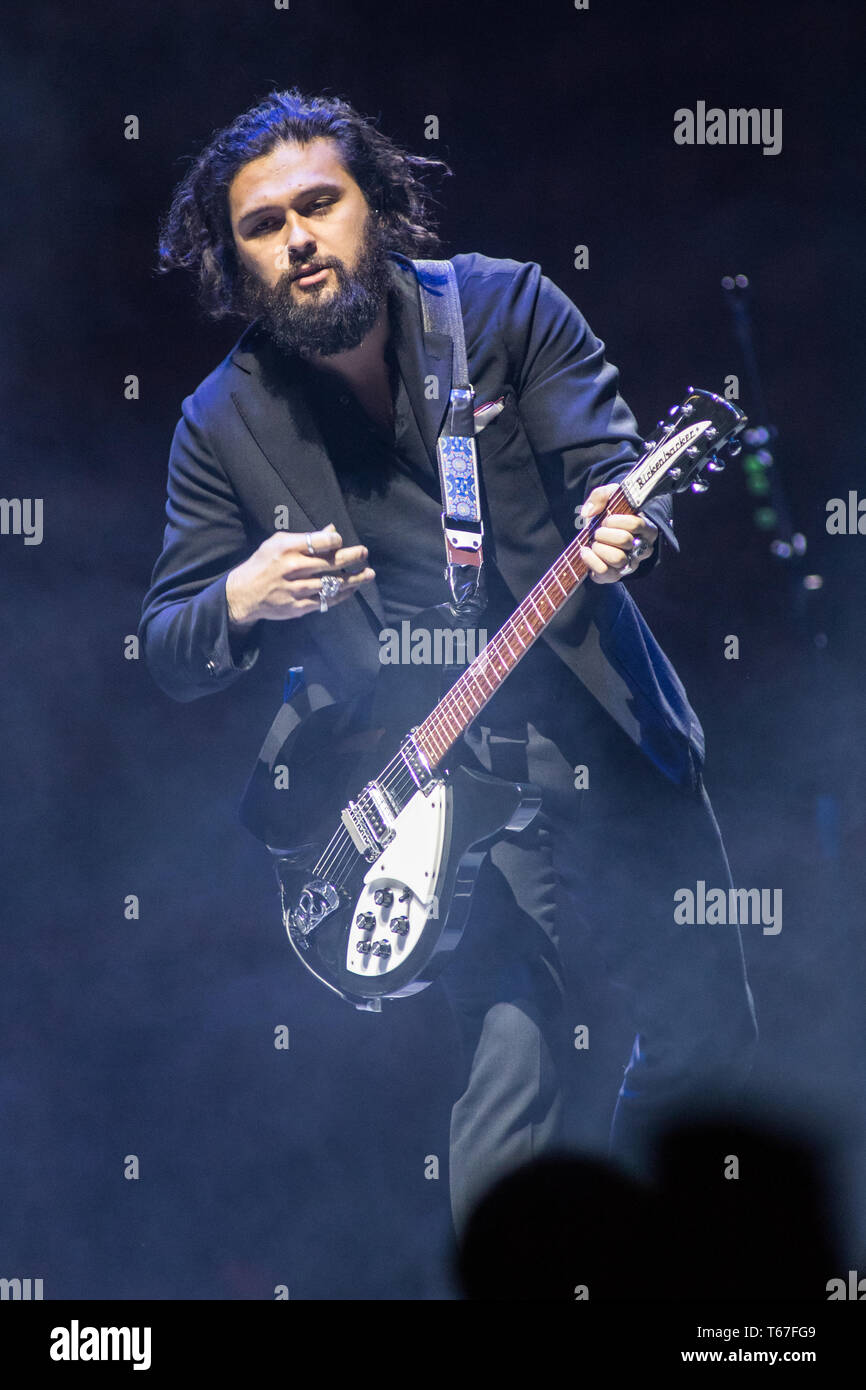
(383,925)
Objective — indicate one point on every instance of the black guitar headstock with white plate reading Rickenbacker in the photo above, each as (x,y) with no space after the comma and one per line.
(686,448)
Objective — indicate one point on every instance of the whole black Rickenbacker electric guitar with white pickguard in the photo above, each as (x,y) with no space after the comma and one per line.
(377,889)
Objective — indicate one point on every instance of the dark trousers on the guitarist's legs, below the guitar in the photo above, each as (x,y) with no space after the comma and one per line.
(600,864)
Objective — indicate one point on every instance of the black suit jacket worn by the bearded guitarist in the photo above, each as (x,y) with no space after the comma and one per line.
(247,445)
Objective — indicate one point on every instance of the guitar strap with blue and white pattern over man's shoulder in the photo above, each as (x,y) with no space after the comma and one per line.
(462,525)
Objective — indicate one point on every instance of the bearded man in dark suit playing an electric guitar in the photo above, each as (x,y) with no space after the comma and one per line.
(304,219)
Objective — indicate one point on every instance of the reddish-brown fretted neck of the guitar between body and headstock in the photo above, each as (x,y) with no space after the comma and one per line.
(496,664)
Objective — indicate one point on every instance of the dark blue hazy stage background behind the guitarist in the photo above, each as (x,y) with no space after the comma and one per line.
(155,1038)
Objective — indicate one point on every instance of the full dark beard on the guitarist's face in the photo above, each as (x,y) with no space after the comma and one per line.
(326,320)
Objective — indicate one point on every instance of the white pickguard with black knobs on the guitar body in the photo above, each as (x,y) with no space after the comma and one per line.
(414,860)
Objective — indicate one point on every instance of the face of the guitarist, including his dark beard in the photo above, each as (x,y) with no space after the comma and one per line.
(298,209)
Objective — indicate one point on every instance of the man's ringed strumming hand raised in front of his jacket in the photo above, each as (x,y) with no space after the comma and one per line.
(283,580)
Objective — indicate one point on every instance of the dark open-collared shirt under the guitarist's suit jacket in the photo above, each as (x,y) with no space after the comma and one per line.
(391,489)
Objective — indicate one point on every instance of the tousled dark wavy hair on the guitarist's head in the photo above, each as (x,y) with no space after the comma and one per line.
(197,233)
